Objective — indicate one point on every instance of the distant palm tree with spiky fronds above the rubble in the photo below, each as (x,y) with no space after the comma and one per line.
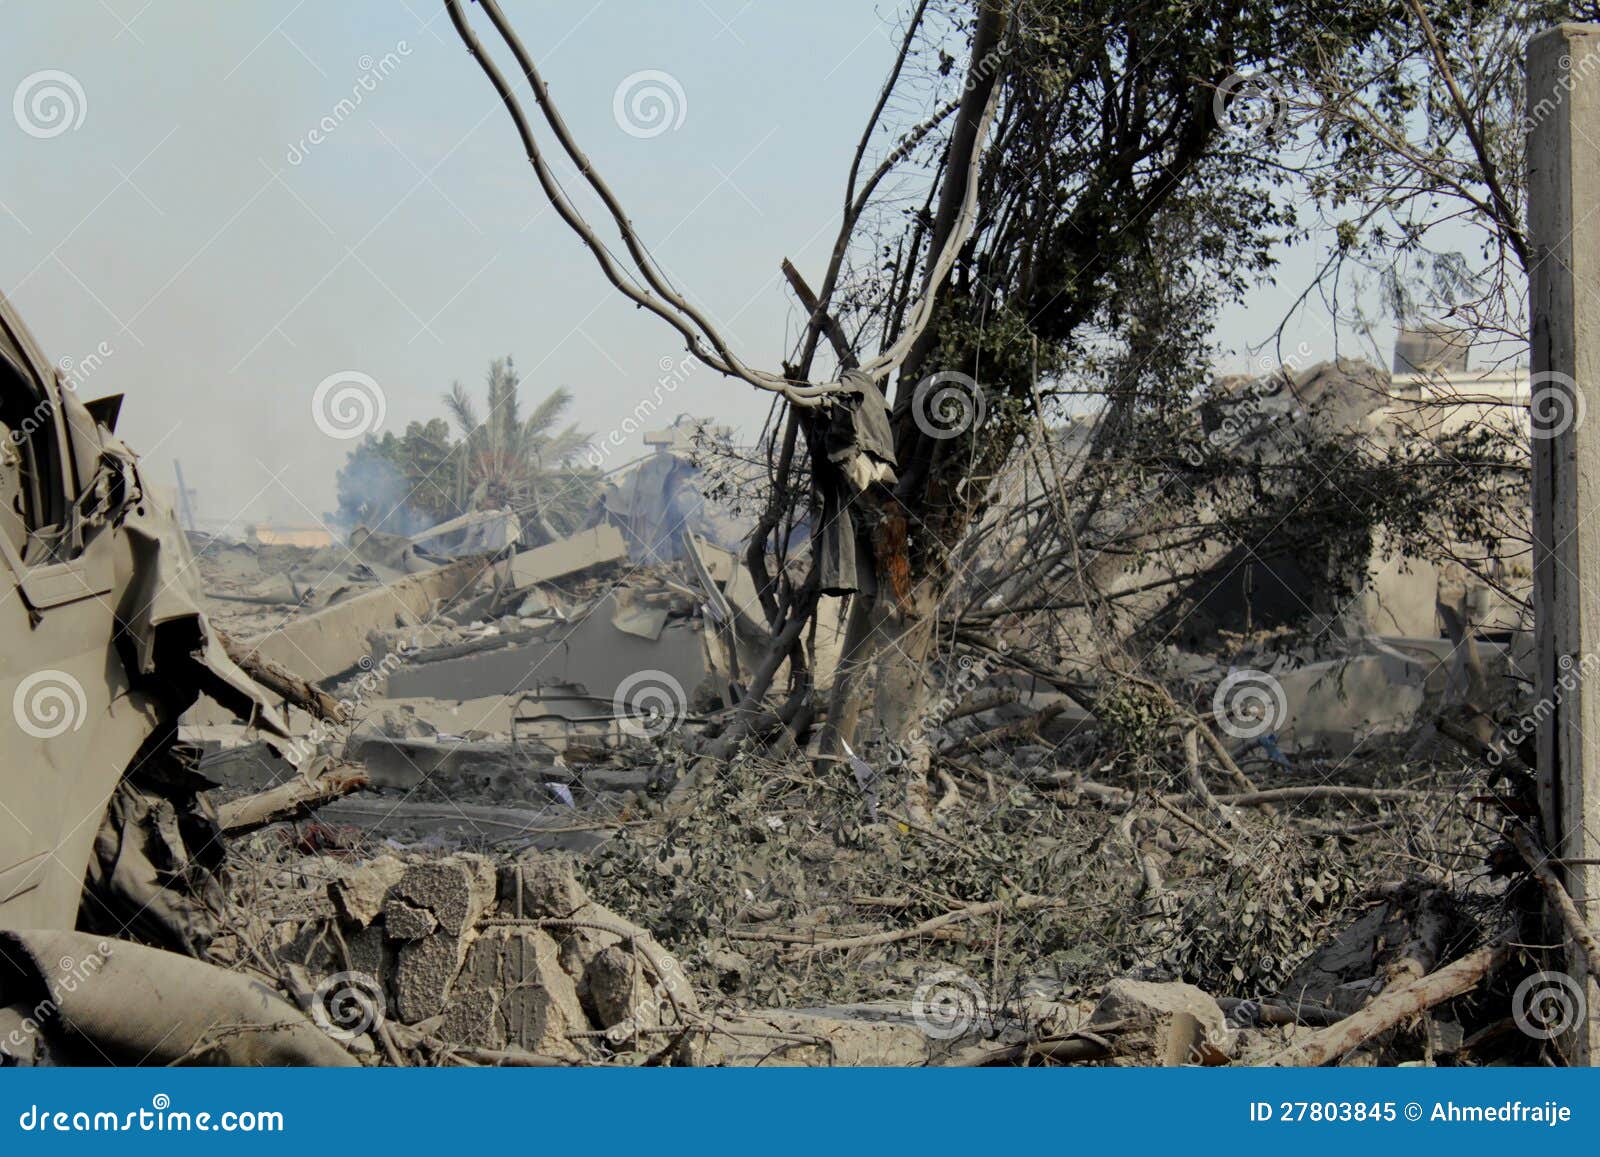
(506,460)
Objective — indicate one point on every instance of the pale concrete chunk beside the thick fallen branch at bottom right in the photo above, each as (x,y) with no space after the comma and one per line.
(1164,1023)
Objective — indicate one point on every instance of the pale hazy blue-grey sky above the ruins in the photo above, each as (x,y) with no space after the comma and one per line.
(274,226)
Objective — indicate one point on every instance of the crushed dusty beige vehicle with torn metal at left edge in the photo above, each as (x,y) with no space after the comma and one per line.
(103,828)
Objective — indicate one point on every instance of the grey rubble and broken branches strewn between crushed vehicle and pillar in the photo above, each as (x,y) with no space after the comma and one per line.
(1078,894)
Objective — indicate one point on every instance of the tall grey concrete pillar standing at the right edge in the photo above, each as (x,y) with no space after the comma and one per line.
(1564,217)
